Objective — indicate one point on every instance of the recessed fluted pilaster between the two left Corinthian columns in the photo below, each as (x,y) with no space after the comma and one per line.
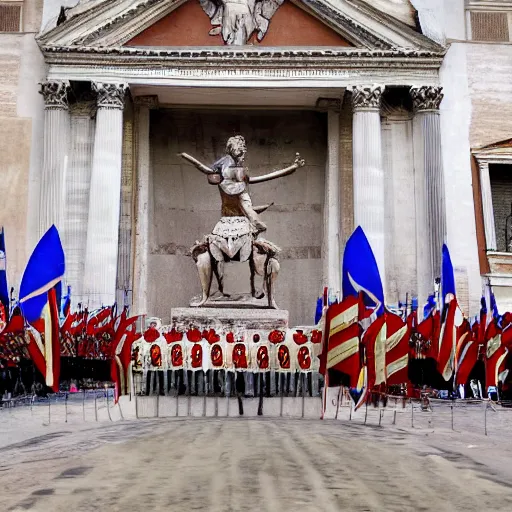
(74,232)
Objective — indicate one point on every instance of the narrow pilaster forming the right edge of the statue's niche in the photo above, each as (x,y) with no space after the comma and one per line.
(331,234)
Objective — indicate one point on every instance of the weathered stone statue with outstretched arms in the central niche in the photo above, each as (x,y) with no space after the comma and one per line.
(236,237)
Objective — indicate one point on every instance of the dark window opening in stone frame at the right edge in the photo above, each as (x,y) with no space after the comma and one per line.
(501,191)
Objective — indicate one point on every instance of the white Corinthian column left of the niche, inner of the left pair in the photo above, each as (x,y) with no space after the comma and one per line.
(105,196)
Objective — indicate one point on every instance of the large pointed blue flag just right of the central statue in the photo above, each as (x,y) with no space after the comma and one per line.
(360,271)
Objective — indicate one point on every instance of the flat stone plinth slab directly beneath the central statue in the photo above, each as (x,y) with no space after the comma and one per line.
(231,318)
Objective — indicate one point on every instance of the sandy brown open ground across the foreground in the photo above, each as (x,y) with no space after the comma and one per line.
(236,464)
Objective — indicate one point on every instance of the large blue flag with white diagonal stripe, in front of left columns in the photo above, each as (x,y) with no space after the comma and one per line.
(44,270)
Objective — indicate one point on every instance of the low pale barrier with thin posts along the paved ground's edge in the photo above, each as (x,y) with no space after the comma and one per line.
(471,416)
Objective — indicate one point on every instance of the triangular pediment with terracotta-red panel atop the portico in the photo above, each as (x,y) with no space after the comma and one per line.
(104,24)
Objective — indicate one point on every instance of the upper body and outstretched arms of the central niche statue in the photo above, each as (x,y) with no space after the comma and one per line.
(232,178)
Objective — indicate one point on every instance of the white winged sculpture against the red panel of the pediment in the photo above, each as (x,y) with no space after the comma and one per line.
(237,20)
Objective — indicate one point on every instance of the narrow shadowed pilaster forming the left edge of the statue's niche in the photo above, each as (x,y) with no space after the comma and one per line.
(143,104)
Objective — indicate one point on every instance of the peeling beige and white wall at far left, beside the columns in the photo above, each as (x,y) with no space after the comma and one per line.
(21,114)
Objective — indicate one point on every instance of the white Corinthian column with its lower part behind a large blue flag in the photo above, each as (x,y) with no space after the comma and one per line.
(368,169)
